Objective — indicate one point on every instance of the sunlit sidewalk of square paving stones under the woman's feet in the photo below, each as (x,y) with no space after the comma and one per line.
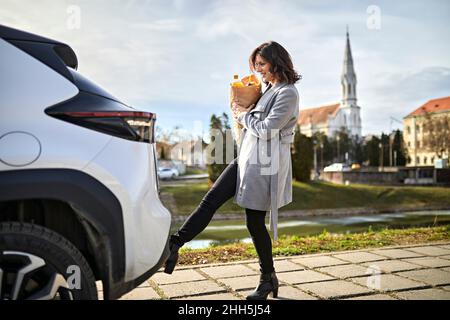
(401,272)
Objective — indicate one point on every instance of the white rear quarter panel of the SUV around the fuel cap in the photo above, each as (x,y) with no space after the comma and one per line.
(24,98)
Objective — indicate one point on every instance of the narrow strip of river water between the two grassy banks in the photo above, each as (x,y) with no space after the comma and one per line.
(230,231)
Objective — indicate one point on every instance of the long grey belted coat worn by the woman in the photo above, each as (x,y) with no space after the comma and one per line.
(264,179)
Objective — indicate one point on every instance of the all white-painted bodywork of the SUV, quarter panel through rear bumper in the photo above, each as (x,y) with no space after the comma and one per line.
(126,168)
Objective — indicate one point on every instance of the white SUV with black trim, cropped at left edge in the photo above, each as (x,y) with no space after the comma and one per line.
(79,193)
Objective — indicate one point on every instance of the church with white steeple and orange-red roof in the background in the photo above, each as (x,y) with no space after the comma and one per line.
(332,117)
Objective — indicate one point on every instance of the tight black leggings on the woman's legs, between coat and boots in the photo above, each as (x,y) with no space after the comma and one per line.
(222,190)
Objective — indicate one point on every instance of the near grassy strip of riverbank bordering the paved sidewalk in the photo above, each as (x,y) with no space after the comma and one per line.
(325,242)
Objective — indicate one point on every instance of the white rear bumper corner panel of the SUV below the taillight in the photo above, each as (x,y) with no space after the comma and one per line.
(148,222)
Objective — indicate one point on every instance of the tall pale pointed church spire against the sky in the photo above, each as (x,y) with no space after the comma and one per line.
(348,78)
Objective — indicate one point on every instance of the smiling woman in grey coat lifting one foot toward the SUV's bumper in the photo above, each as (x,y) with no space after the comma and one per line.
(260,178)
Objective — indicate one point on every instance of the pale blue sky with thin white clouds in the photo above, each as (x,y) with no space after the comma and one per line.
(177,57)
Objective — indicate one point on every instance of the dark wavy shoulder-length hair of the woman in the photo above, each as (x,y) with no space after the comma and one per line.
(279,59)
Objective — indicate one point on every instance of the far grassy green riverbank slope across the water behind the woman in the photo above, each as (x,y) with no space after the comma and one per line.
(318,198)
